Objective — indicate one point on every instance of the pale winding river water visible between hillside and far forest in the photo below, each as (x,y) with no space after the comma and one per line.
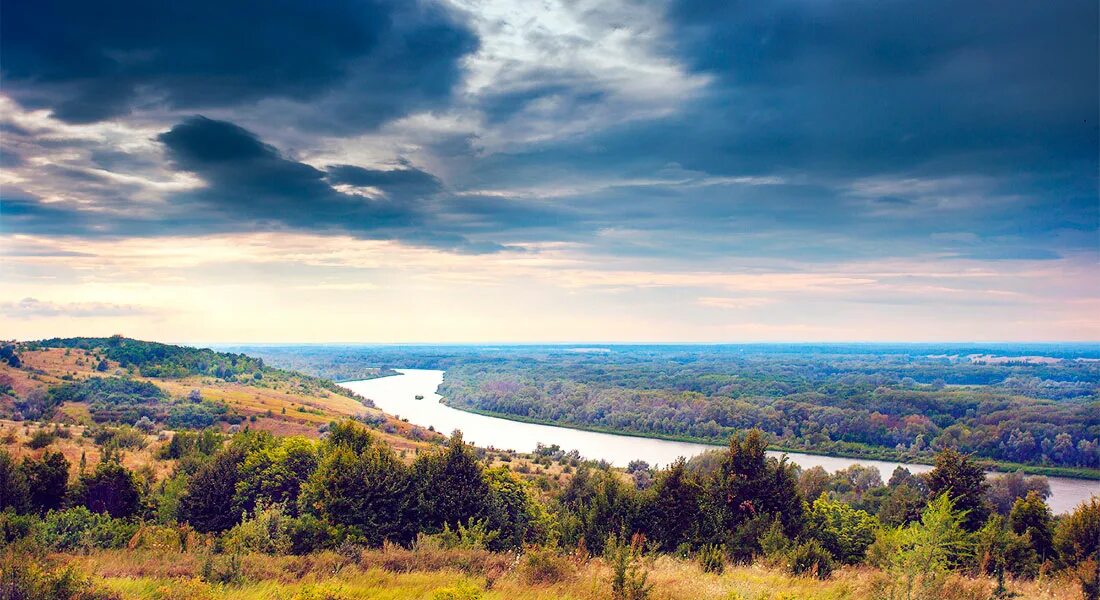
(397,396)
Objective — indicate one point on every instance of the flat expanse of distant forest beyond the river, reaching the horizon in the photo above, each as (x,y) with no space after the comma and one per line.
(1037,406)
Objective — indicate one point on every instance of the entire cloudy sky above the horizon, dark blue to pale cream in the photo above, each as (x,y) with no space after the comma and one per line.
(504,171)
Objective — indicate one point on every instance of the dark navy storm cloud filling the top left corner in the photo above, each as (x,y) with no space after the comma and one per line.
(367,61)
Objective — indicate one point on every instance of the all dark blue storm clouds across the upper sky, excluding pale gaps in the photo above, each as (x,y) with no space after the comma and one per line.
(828,130)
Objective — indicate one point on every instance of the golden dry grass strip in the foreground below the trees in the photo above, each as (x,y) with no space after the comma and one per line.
(395,573)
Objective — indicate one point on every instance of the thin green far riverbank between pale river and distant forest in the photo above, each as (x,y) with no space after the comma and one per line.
(873,454)
